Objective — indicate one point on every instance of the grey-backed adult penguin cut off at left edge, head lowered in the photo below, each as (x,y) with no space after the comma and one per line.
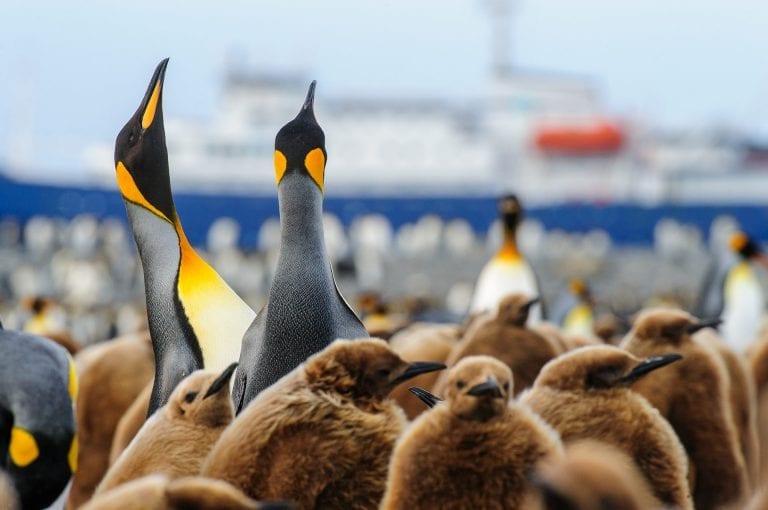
(38,444)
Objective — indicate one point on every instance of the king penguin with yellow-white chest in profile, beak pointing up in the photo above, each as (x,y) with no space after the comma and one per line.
(195,319)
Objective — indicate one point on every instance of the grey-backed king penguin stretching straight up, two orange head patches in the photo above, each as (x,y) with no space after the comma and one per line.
(305,311)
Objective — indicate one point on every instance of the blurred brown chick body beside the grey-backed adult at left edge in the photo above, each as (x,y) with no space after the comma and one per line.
(110,377)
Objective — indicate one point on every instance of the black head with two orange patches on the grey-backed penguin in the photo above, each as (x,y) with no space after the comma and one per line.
(300,145)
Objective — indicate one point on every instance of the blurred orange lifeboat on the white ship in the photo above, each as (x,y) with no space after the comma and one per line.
(583,140)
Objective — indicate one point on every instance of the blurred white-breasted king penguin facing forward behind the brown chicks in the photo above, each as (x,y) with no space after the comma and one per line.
(507,272)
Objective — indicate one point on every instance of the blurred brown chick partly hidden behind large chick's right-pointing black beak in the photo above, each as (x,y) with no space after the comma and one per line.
(421,341)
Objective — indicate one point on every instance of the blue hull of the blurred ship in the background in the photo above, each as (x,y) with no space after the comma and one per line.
(627,224)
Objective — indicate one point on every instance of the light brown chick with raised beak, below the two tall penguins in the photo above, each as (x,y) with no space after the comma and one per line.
(176,439)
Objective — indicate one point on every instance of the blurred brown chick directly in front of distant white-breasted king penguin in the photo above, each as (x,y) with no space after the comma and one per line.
(507,339)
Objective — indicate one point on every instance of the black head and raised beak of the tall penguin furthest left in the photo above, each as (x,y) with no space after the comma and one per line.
(141,157)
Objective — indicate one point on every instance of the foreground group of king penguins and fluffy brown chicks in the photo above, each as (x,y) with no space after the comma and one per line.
(528,415)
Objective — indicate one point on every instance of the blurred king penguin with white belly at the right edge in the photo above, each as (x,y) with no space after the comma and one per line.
(734,293)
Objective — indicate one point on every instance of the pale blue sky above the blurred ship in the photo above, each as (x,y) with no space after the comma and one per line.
(72,73)
